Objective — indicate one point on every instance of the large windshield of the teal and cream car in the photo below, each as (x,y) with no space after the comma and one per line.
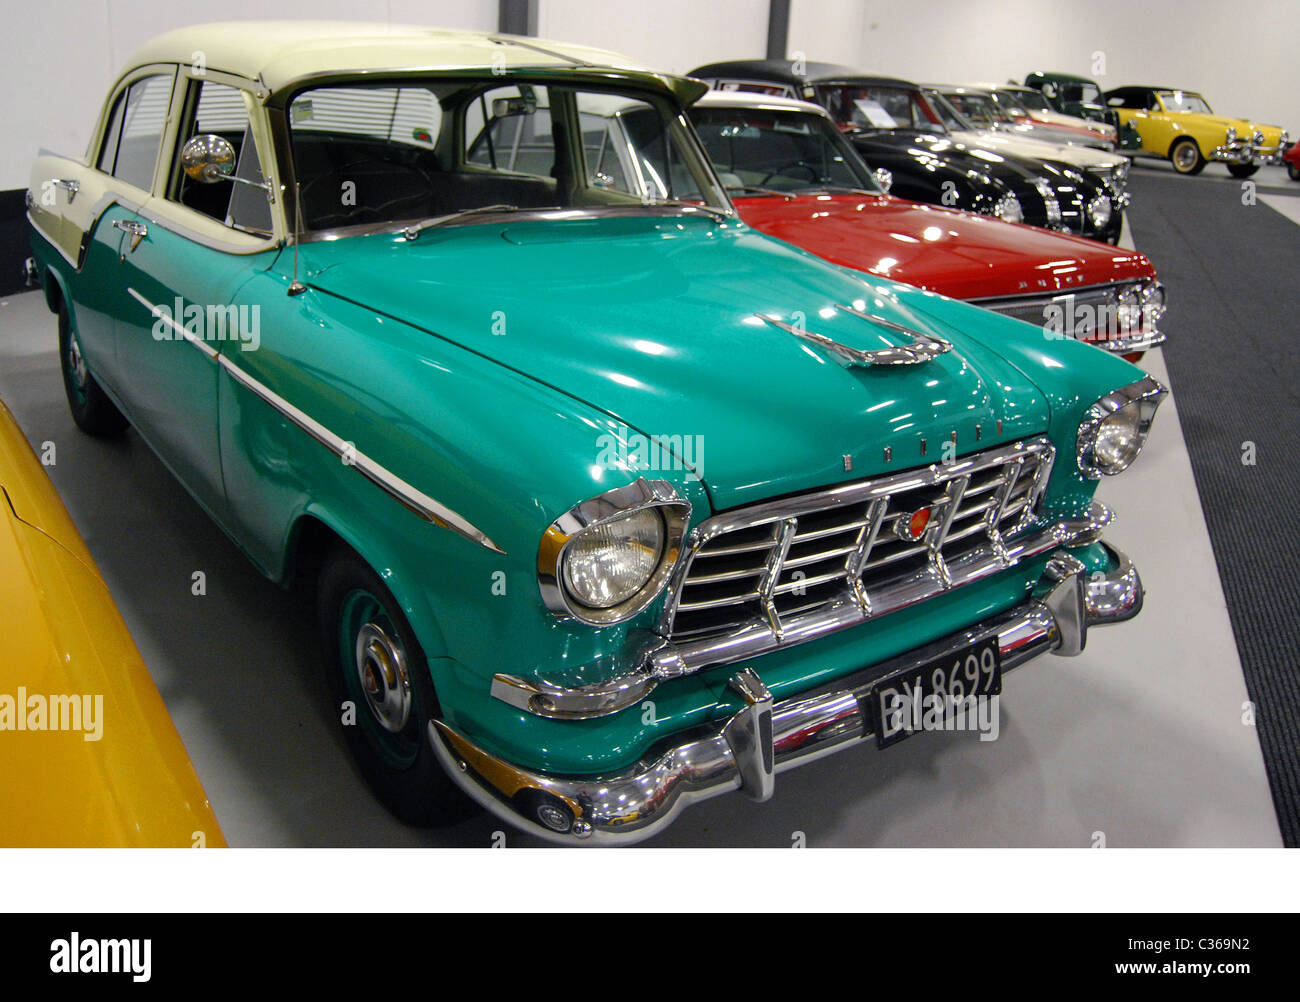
(402,153)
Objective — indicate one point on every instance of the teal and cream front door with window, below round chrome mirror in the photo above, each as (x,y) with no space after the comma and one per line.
(183,262)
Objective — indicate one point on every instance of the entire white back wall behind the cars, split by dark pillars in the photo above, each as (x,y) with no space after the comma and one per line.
(60,55)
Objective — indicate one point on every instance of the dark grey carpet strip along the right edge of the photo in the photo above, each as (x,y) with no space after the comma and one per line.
(1233,274)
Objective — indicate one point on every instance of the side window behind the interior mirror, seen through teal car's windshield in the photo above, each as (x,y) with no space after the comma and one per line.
(509,129)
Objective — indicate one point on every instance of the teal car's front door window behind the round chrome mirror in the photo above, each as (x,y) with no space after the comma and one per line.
(222,111)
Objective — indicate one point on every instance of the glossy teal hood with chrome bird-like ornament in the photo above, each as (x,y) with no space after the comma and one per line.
(655,320)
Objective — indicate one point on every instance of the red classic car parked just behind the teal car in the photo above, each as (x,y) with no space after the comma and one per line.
(794,176)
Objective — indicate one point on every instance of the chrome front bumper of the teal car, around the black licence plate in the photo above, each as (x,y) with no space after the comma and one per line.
(766,738)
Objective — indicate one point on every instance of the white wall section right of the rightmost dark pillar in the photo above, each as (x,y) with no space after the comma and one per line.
(1241,55)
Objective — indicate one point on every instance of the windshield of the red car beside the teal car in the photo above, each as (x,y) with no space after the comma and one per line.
(778,151)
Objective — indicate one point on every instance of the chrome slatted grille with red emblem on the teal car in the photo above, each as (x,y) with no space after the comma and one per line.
(781,562)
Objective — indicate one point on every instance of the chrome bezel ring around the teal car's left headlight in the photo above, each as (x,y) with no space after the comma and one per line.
(605,511)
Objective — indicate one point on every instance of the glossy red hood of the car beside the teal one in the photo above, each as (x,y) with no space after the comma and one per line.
(956,254)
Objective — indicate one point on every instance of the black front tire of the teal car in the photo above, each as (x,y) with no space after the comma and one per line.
(400,766)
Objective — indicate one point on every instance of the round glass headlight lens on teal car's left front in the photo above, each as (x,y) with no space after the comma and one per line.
(608,565)
